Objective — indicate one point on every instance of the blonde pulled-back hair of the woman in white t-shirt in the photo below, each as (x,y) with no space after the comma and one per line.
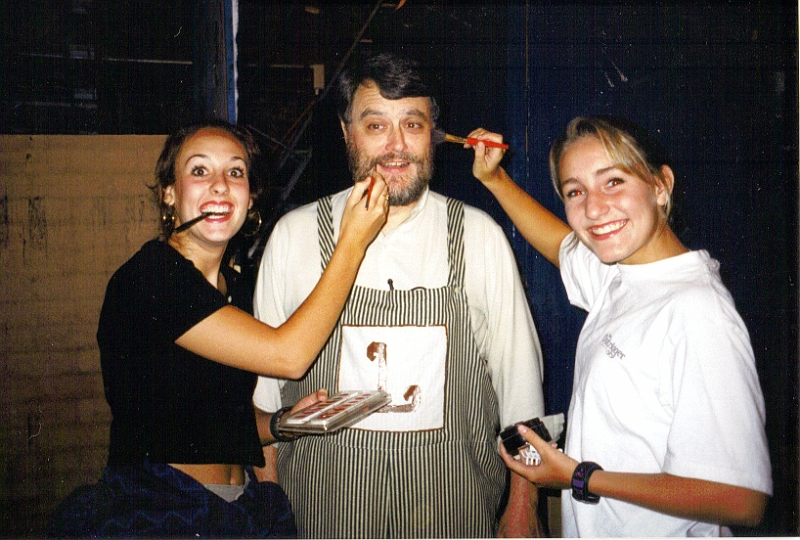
(629,146)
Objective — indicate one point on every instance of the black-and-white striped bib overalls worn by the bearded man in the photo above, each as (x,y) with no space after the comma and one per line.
(443,482)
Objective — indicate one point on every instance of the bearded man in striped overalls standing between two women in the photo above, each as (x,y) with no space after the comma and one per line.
(440,292)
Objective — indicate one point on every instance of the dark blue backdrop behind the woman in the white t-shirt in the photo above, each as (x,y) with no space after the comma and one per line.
(718,84)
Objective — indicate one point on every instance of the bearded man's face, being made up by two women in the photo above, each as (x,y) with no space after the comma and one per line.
(392,136)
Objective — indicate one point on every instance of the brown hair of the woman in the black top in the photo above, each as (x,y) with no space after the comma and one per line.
(165,166)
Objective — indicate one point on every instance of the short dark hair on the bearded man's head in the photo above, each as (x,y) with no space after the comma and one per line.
(395,77)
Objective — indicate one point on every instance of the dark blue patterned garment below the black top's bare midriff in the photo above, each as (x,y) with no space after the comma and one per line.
(156,500)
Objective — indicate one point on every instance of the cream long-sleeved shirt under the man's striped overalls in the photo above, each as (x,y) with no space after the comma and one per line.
(415,255)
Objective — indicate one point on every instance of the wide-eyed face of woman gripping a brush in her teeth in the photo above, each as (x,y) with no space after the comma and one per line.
(210,176)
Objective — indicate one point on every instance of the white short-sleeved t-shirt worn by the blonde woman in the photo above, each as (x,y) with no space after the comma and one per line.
(665,381)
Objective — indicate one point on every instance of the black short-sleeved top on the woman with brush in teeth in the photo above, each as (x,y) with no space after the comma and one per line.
(170,405)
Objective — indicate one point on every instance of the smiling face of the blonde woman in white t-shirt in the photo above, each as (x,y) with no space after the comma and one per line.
(614,213)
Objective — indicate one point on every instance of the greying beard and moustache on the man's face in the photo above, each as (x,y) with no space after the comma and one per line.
(403,189)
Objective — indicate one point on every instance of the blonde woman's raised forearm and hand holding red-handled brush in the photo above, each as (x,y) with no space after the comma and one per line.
(541,228)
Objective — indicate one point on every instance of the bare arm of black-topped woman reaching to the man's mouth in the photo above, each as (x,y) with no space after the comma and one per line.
(232,337)
